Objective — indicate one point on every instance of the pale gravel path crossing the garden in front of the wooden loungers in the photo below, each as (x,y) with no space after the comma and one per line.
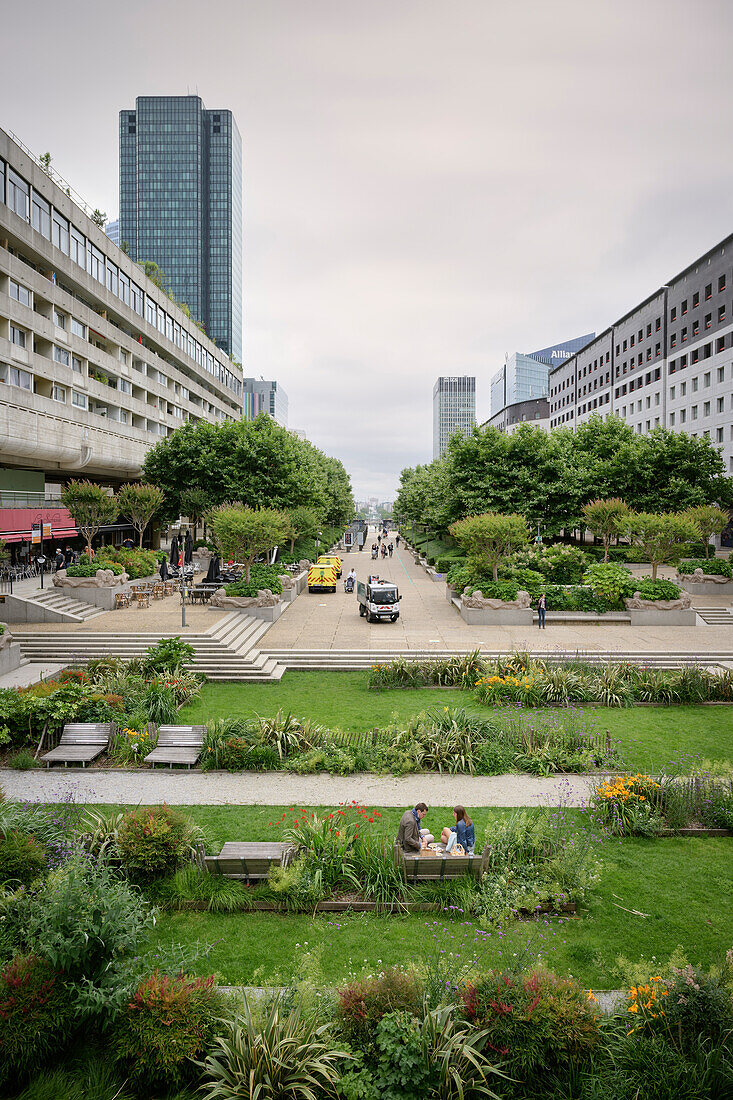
(247,789)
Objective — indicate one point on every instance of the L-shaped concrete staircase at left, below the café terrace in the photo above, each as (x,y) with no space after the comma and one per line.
(226,652)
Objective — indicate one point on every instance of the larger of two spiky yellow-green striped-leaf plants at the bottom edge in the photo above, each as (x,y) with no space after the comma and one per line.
(285,1057)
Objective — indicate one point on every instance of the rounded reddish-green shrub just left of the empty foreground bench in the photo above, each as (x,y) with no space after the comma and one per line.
(154,842)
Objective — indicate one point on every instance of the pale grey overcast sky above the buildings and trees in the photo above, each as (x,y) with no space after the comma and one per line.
(428,185)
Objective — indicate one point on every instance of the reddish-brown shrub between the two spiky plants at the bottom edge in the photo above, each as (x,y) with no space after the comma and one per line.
(367,1000)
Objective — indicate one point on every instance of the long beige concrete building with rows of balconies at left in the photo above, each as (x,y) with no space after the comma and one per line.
(97,365)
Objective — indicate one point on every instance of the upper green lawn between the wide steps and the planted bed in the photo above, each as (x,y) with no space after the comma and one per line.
(651,739)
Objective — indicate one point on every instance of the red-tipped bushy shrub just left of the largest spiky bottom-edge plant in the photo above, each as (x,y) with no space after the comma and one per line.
(168,1024)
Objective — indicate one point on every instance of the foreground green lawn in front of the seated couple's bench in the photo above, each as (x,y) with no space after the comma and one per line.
(684,888)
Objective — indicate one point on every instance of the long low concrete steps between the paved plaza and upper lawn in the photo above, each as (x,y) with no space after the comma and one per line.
(346,661)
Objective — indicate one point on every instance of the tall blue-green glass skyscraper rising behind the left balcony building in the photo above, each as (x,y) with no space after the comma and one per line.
(181,206)
